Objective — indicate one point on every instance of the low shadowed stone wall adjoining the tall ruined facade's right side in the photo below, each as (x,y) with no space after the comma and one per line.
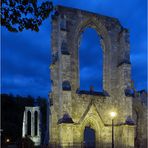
(140,115)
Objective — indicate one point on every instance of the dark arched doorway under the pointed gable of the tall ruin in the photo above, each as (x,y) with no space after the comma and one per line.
(89,137)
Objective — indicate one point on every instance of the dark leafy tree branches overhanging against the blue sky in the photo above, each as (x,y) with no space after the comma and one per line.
(17,15)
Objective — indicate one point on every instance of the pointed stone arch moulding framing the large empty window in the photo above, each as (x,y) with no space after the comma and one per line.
(106,47)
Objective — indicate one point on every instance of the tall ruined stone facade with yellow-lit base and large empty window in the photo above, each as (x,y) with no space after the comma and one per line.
(88,108)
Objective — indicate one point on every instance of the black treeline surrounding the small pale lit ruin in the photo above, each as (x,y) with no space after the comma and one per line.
(12,109)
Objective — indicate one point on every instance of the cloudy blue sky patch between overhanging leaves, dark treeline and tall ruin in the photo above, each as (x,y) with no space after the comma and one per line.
(25,62)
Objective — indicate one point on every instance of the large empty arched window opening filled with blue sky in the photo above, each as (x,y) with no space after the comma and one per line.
(90,61)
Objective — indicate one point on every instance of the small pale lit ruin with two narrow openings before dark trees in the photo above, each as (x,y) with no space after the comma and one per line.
(32,129)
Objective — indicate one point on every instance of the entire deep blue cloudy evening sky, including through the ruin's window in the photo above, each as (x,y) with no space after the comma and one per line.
(26,56)
